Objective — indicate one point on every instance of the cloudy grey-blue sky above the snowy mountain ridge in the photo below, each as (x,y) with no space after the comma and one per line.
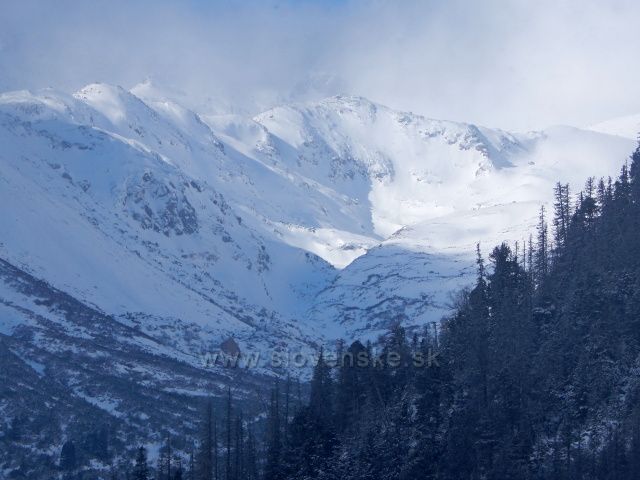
(516,64)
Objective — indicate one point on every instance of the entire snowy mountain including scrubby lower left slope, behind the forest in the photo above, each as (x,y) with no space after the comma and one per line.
(137,235)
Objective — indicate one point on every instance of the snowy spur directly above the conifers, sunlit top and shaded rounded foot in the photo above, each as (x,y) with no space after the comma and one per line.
(412,274)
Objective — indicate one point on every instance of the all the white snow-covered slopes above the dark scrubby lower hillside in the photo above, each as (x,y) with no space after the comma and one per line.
(152,209)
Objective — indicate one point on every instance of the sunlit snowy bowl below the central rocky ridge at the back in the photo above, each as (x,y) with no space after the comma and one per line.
(401,166)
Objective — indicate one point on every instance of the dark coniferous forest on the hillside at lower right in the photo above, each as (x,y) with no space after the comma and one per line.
(534,376)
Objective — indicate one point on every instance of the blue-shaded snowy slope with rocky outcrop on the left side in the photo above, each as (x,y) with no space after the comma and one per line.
(128,231)
